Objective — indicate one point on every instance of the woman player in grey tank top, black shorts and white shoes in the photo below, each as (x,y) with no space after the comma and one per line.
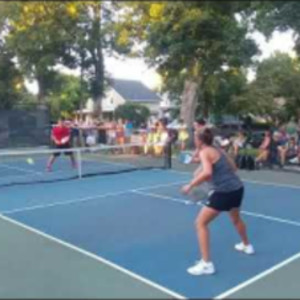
(227,194)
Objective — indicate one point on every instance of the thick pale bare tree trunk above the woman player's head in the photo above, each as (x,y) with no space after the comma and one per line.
(189,102)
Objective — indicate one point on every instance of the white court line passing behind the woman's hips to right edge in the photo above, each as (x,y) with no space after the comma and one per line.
(248,213)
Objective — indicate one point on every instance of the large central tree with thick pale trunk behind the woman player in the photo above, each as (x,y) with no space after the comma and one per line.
(193,40)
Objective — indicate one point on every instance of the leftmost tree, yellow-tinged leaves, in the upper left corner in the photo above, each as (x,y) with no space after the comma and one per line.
(37,39)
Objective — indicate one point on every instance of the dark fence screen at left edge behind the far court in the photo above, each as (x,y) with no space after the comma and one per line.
(24,128)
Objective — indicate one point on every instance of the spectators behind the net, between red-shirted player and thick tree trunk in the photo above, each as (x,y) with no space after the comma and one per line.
(153,135)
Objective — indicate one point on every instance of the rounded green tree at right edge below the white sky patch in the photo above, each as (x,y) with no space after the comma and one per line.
(275,91)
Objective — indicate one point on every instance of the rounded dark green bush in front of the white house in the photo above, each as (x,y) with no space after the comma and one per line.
(137,113)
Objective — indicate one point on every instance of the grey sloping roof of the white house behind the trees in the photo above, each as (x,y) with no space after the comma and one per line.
(135,91)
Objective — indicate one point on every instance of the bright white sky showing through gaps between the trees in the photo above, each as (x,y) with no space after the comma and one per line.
(137,69)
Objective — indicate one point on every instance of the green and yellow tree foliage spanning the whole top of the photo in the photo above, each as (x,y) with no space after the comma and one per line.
(197,41)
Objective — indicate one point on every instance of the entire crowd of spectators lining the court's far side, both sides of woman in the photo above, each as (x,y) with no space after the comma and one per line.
(279,145)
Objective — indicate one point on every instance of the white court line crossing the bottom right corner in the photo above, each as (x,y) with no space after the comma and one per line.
(258,277)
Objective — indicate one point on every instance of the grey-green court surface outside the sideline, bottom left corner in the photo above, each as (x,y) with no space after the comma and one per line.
(35,266)
